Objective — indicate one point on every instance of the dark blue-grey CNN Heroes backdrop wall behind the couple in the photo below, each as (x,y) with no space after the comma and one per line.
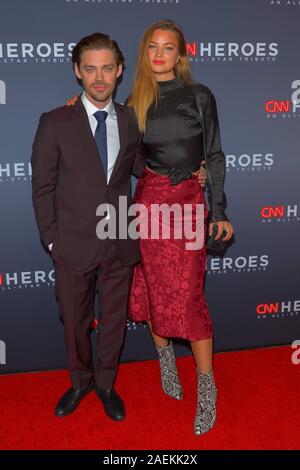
(247,52)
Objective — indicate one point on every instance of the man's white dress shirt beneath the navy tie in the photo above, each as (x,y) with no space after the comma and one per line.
(113,139)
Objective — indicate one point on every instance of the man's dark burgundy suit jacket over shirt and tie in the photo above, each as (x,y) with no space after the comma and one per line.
(68,183)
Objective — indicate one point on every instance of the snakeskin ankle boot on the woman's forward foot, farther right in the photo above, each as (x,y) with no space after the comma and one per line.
(206,404)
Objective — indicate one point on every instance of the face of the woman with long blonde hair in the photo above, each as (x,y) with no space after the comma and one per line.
(163,54)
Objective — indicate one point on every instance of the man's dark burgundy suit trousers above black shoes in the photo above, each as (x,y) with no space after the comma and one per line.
(75,291)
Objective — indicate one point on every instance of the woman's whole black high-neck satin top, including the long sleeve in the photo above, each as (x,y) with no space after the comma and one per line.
(173,138)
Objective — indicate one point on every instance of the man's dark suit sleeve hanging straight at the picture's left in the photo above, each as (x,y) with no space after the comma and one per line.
(44,161)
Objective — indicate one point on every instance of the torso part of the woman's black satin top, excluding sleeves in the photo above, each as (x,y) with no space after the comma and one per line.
(173,136)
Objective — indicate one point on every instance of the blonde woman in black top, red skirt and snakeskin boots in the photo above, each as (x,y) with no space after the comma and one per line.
(167,289)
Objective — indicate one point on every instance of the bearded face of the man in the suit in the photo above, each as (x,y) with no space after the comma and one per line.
(98,71)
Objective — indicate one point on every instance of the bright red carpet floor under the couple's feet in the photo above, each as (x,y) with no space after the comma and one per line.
(258,408)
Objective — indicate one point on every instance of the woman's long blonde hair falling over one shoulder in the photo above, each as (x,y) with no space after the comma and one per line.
(145,89)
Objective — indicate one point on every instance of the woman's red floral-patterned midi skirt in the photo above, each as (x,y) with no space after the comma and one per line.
(167,286)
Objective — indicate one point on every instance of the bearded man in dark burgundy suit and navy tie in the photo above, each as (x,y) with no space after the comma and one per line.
(83,156)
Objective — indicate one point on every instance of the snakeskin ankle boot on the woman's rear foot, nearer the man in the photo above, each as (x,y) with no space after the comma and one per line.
(168,370)
